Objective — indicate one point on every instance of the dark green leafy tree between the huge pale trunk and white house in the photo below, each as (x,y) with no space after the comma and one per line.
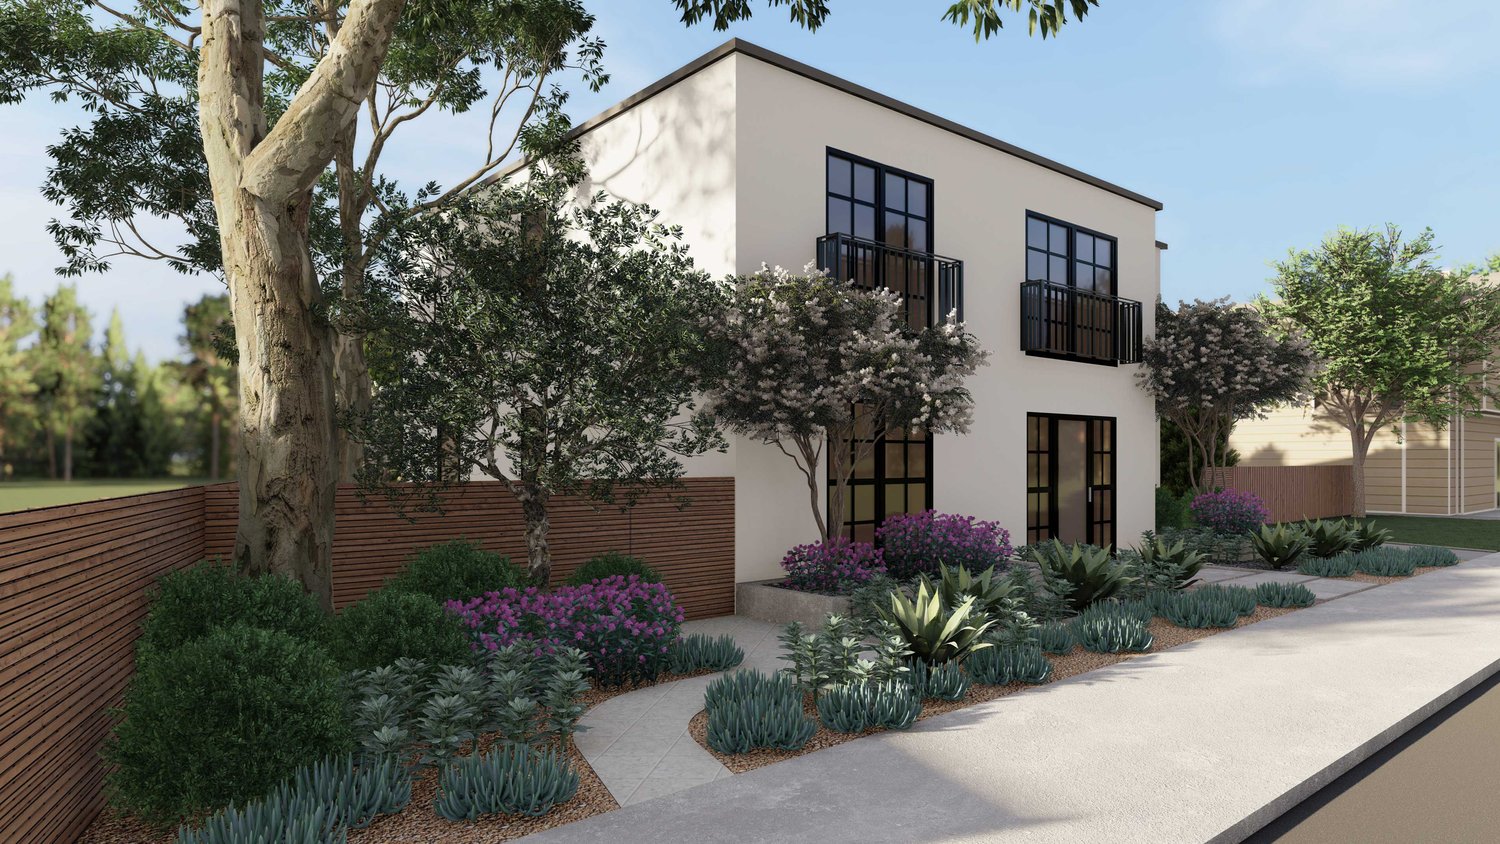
(556,350)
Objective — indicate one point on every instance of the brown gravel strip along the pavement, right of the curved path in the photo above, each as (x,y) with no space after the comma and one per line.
(1066,666)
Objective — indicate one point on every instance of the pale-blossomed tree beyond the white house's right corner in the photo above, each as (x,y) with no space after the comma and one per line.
(1214,364)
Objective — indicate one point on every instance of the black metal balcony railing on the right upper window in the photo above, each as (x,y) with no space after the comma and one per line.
(1067,322)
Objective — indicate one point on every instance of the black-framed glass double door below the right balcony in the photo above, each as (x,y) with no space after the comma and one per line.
(1070,479)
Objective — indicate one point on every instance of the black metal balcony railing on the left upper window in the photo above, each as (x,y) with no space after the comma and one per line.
(931,284)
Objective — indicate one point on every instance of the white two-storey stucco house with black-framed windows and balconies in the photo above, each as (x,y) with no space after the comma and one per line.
(766,160)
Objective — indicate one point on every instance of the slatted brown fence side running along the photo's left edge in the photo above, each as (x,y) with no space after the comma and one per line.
(73,594)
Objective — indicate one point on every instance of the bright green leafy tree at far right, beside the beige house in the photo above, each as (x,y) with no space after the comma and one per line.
(1397,337)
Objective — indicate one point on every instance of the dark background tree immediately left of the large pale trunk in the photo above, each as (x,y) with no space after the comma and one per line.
(209,371)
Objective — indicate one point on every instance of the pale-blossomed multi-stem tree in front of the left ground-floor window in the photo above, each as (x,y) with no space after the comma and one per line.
(806,358)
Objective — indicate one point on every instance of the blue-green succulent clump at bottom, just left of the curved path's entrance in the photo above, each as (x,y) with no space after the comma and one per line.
(508,780)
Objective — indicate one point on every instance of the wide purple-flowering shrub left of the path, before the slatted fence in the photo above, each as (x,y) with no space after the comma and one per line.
(622,624)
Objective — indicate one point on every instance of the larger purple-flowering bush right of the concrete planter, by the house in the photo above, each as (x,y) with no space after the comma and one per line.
(916,543)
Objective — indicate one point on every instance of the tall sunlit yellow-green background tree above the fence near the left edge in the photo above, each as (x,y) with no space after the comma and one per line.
(67,376)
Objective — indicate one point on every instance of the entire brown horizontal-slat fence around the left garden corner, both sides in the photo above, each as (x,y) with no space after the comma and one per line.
(74,584)
